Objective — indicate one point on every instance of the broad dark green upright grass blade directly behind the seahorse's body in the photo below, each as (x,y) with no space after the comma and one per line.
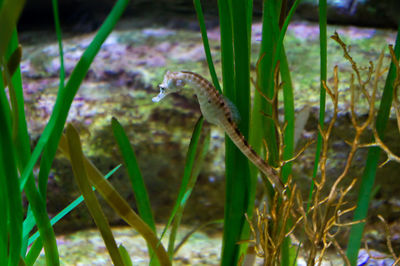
(234,14)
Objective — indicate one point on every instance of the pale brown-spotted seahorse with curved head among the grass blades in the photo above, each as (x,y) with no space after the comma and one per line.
(218,111)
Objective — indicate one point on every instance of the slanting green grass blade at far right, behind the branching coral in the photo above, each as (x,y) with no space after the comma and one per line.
(368,178)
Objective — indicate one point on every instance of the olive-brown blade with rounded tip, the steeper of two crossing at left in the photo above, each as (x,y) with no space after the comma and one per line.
(79,170)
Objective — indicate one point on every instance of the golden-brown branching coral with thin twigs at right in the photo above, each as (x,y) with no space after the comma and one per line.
(322,221)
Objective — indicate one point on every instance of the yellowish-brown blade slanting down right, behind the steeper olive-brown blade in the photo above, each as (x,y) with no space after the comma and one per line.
(121,207)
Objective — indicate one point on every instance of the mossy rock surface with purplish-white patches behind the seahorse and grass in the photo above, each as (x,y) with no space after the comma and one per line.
(122,81)
